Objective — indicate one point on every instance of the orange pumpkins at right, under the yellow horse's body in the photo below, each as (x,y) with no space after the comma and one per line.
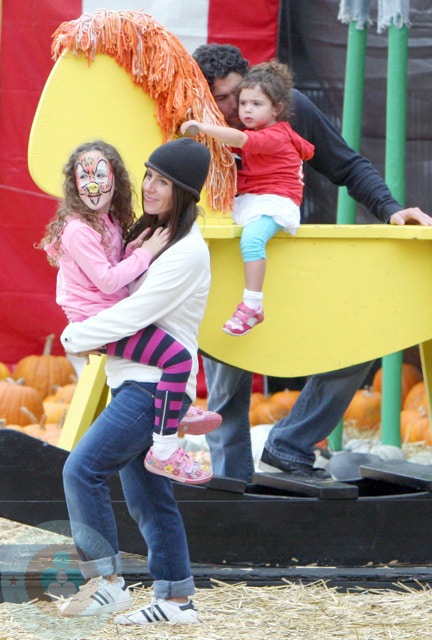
(364,412)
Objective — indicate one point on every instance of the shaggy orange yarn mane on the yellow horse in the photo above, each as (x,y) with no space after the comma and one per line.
(158,62)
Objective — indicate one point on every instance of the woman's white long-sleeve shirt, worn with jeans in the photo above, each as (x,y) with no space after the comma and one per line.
(172,294)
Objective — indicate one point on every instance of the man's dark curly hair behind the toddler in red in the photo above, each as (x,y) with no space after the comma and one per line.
(219,60)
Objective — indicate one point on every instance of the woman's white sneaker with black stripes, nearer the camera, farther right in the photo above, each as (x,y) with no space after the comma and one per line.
(160,610)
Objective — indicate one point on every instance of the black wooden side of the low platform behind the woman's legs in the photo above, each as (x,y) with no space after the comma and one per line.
(231,524)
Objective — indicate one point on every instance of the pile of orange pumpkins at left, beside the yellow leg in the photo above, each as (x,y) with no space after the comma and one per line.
(35,396)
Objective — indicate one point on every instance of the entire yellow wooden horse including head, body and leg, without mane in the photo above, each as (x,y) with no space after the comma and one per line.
(334,295)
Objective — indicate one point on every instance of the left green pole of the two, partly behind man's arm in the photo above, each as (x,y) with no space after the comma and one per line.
(352,115)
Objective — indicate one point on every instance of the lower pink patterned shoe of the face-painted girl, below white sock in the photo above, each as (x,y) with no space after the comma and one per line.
(180,467)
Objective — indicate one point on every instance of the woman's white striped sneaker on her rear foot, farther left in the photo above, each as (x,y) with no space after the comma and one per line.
(98,597)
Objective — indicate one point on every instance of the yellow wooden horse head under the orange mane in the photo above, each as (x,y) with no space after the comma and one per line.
(82,102)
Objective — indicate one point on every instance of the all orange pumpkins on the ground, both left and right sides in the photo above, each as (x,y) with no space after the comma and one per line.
(36,395)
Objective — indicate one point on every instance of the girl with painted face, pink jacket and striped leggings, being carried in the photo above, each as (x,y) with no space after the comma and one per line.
(86,242)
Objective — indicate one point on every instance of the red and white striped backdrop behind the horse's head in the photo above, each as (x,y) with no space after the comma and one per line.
(28,311)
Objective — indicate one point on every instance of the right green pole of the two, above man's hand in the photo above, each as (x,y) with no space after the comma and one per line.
(395,178)
